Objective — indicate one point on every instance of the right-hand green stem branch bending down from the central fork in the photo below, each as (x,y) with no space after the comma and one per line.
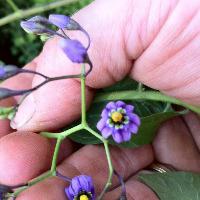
(108,156)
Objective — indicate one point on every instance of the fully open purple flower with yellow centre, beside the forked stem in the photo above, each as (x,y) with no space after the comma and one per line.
(118,120)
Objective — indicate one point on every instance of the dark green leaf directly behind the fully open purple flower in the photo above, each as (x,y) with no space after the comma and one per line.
(152,114)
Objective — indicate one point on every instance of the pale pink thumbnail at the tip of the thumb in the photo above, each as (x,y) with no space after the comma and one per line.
(25,113)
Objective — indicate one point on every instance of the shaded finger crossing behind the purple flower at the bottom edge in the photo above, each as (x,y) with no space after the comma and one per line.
(127,162)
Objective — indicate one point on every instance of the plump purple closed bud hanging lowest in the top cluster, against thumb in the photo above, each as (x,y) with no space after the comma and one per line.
(74,50)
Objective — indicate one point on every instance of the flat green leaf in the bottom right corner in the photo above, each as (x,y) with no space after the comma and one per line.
(174,185)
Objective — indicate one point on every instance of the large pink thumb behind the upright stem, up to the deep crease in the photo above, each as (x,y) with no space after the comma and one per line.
(114,47)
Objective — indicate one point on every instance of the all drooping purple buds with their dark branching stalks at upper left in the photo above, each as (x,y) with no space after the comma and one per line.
(73,49)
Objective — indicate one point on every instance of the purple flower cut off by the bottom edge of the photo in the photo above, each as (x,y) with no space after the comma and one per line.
(81,188)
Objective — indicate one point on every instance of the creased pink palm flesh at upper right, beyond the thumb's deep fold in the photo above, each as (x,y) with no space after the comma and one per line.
(171,62)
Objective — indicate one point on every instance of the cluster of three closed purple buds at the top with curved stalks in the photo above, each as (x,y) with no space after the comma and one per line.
(74,49)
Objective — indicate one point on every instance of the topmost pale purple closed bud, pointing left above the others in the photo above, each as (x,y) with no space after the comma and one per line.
(61,21)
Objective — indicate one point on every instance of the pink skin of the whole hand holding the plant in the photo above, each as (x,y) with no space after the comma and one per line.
(155,42)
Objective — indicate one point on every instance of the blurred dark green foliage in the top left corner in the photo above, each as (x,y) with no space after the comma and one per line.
(16,46)
